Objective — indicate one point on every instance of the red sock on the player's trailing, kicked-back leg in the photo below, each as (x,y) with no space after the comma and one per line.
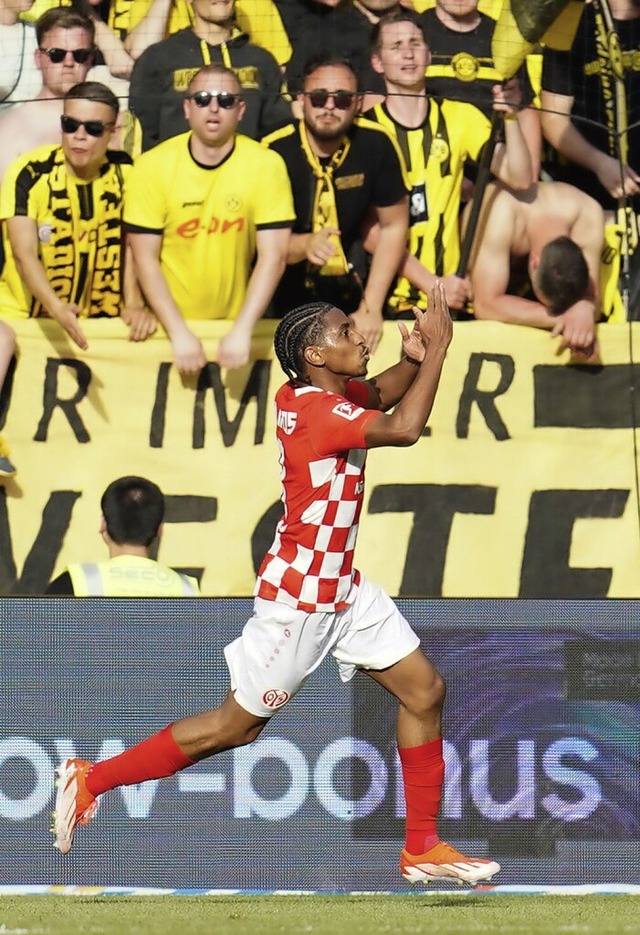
(154,758)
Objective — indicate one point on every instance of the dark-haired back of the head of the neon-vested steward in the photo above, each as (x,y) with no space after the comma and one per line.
(133,508)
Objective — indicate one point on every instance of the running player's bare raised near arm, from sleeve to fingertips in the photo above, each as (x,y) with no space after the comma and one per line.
(405,424)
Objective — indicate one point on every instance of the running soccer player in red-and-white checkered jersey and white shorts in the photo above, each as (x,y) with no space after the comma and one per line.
(310,601)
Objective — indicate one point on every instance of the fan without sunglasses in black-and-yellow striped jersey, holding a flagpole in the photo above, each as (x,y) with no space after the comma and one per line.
(436,138)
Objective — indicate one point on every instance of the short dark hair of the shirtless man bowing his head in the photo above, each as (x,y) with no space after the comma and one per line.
(563,274)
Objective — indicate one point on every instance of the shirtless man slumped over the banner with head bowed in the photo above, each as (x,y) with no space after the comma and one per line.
(557,231)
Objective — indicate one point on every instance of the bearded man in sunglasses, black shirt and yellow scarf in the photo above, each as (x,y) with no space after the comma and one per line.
(342,169)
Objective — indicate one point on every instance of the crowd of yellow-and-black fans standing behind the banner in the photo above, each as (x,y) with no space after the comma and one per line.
(170,160)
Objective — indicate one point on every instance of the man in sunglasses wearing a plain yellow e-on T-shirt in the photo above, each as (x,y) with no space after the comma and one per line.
(208,216)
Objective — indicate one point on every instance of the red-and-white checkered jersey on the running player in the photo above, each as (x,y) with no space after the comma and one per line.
(322,455)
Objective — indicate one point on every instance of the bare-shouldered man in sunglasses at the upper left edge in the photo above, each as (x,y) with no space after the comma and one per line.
(63,58)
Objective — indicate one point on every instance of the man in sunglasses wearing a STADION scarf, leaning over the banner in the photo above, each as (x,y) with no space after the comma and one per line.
(66,201)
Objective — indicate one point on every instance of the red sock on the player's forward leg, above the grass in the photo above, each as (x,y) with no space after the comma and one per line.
(423,774)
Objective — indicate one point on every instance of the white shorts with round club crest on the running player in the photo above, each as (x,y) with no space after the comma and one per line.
(280,646)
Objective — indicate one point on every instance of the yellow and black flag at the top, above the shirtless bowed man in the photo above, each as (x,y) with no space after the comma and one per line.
(522,24)
